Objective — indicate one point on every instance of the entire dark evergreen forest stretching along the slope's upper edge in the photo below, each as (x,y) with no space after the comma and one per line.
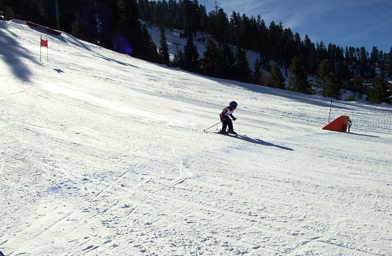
(285,59)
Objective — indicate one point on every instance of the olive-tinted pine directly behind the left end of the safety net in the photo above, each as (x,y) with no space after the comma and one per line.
(326,80)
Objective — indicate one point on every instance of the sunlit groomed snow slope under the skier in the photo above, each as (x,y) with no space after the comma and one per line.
(104,154)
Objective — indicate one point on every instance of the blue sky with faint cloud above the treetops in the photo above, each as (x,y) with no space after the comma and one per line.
(354,23)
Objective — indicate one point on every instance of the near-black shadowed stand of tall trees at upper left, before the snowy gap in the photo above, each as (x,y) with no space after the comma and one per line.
(113,24)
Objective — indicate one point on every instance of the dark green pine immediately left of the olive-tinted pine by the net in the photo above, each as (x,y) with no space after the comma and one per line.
(298,79)
